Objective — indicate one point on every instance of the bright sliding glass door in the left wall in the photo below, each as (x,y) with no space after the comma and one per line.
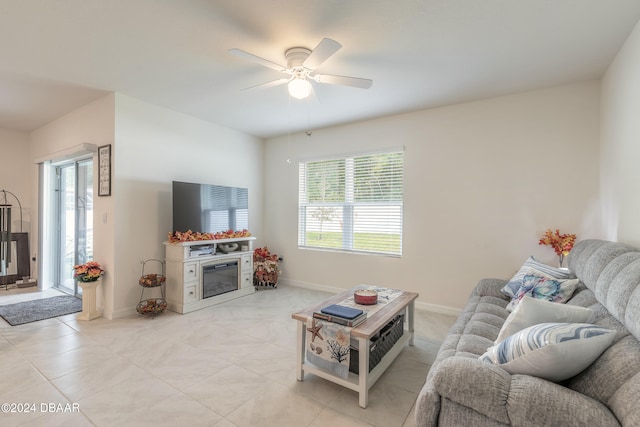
(74,221)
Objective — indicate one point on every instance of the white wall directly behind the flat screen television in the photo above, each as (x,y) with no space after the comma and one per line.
(155,146)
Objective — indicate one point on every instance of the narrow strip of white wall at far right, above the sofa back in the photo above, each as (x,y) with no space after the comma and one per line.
(620,152)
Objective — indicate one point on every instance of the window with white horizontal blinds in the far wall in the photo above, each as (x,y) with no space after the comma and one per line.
(352,204)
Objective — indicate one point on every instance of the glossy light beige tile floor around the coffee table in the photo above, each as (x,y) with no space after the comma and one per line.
(228,365)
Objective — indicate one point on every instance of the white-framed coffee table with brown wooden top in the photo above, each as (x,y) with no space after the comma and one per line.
(363,381)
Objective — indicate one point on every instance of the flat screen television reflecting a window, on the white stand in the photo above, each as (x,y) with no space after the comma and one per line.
(209,208)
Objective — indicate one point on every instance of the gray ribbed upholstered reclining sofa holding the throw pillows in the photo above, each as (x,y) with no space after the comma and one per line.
(461,390)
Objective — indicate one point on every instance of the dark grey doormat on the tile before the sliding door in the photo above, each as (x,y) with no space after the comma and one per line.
(40,309)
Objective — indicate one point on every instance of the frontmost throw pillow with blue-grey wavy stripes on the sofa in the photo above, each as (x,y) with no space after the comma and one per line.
(554,351)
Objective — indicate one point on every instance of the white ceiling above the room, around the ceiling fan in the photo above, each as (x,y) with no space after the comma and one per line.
(58,55)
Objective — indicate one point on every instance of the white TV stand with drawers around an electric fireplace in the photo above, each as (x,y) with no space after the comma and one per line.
(184,262)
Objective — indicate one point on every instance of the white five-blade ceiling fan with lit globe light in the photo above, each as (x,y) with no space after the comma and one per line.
(301,66)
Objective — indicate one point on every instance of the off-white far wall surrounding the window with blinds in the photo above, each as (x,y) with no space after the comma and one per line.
(483,181)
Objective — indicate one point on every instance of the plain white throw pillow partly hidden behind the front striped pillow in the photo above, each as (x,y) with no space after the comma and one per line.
(532,311)
